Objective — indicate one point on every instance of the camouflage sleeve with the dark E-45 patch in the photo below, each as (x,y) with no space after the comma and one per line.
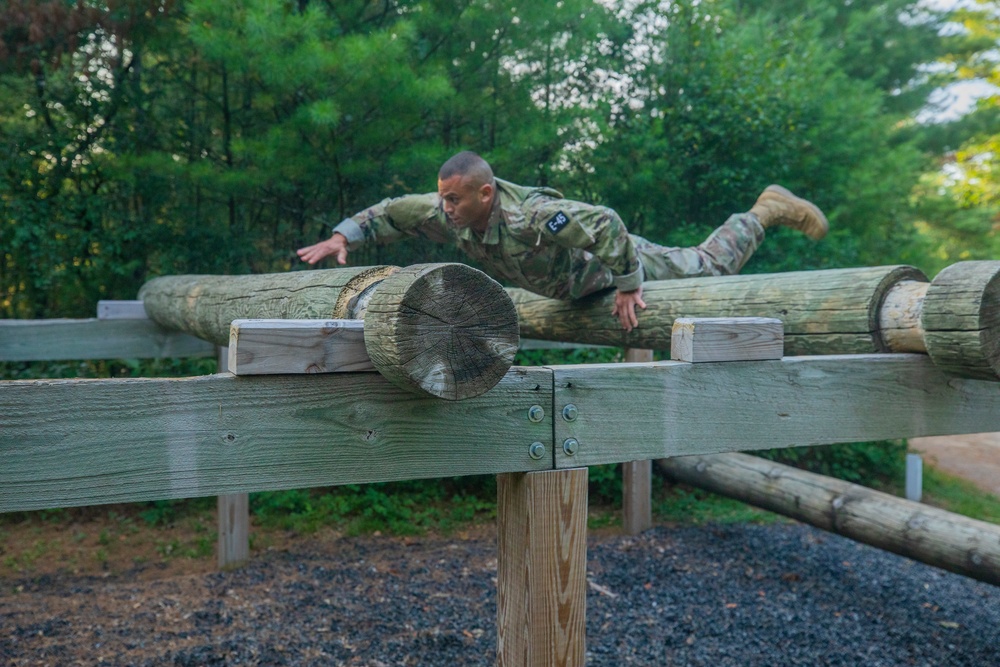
(598,230)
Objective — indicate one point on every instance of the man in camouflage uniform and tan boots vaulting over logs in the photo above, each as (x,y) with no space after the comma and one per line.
(557,247)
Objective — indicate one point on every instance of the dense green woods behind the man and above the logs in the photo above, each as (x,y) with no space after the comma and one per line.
(140,138)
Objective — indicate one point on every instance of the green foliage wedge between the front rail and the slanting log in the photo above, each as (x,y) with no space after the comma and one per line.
(875,464)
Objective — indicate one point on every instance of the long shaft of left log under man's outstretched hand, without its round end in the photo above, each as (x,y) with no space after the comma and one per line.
(205,305)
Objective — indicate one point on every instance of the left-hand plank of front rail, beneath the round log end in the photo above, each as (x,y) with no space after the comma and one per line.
(88,442)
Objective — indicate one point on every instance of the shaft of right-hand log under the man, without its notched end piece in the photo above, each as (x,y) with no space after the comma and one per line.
(832,311)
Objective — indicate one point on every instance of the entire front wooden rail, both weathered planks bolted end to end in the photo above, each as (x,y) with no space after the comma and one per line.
(78,442)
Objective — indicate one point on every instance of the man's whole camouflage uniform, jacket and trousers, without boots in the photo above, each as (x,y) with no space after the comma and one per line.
(556,247)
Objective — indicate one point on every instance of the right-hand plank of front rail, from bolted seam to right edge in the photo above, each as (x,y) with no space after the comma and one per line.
(669,408)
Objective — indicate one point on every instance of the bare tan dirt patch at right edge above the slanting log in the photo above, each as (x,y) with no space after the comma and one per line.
(974,457)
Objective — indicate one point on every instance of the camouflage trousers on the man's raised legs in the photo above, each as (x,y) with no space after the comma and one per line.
(723,253)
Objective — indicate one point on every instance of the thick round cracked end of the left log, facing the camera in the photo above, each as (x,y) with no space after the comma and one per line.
(445,330)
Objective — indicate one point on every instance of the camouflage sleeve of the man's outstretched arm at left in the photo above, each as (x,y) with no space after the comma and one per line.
(392,219)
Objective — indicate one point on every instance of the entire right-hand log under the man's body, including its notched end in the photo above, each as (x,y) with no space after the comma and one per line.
(955,318)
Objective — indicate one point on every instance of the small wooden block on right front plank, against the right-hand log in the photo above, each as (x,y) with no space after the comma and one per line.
(726,339)
